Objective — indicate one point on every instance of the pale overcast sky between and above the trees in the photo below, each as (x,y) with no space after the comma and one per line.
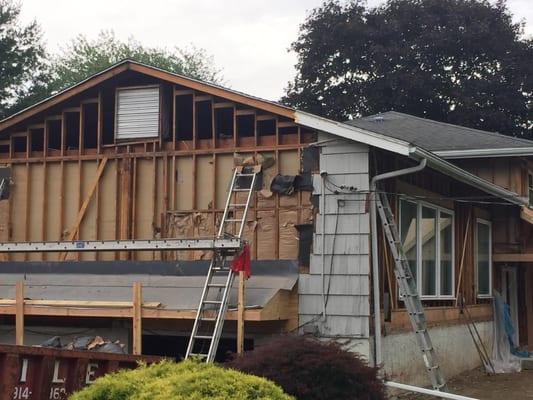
(248,39)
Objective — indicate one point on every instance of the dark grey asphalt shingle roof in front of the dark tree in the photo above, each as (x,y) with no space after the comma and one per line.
(436,136)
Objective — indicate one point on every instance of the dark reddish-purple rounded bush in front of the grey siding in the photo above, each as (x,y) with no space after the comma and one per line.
(312,370)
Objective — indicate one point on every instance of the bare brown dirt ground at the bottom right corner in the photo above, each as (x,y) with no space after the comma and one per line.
(479,385)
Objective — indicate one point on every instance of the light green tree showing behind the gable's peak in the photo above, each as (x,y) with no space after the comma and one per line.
(84,57)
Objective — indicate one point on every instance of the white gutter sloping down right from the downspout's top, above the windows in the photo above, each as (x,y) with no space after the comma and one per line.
(460,174)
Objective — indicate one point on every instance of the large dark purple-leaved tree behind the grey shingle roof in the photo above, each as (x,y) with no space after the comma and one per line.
(457,61)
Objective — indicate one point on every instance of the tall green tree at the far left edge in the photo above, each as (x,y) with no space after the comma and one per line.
(22,65)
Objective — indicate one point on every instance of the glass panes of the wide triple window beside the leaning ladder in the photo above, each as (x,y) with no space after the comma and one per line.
(426,232)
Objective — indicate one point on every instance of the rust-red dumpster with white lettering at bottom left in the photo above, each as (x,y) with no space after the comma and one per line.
(40,373)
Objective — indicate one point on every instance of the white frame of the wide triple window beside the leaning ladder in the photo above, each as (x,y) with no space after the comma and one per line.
(438,209)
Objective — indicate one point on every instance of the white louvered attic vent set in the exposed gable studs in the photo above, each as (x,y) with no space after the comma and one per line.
(137,112)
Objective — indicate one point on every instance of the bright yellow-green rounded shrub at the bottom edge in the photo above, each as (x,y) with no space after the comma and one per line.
(187,380)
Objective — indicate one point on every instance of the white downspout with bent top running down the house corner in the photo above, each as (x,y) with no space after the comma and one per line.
(375,262)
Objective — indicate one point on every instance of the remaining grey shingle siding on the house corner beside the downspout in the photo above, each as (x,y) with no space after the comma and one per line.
(347,280)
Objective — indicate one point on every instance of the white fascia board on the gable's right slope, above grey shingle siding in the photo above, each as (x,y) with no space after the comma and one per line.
(352,133)
